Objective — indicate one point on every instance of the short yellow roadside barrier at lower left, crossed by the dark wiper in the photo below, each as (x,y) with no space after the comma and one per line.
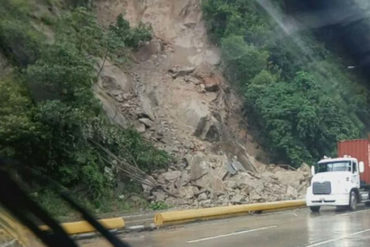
(84,227)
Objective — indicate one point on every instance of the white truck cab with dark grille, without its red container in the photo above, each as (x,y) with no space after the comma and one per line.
(336,182)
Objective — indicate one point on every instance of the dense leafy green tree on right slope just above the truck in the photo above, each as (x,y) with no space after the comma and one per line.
(301,123)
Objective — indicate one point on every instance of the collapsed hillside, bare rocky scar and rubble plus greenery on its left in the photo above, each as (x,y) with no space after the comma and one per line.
(57,60)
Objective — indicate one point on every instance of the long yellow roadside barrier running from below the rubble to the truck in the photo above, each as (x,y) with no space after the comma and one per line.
(174,217)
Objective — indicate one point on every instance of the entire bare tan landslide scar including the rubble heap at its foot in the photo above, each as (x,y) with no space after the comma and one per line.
(175,95)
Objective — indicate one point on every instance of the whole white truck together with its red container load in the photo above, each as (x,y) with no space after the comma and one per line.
(343,181)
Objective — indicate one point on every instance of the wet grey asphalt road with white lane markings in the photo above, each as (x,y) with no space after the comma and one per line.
(279,229)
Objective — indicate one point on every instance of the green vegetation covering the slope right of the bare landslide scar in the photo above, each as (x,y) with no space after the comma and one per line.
(297,93)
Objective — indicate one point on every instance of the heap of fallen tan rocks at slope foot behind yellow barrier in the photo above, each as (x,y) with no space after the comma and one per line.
(215,180)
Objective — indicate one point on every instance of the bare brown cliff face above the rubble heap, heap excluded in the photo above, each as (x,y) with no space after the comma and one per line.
(174,81)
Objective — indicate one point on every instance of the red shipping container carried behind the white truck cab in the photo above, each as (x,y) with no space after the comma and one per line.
(359,149)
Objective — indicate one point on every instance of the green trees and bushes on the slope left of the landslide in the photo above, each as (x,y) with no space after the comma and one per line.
(49,118)
